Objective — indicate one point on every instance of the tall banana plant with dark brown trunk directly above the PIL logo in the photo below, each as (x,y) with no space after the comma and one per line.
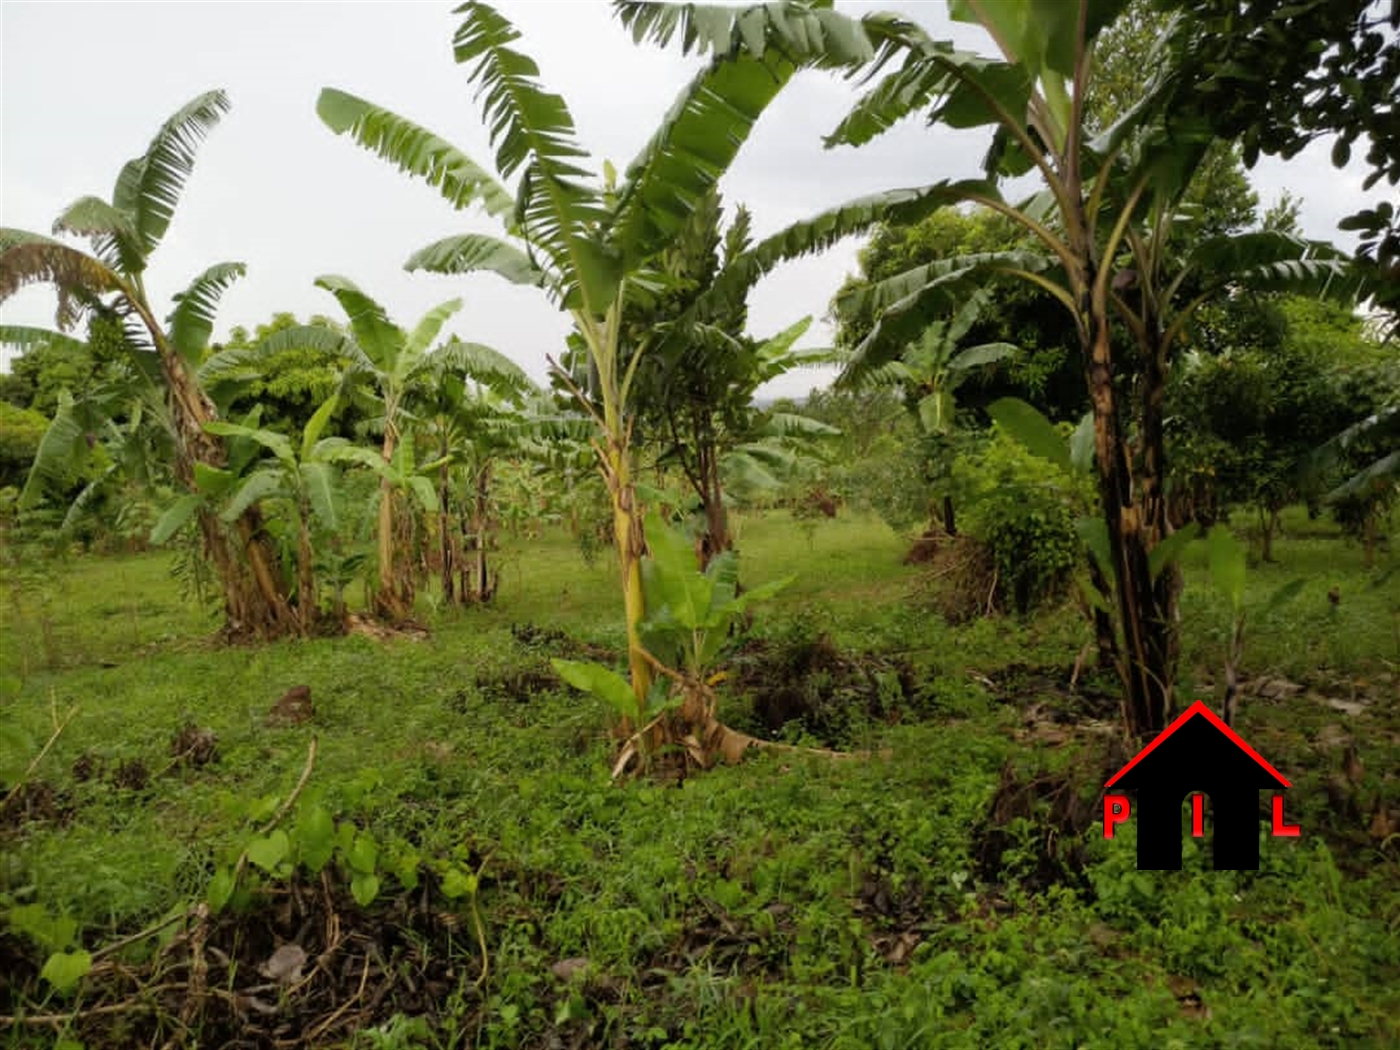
(1102,220)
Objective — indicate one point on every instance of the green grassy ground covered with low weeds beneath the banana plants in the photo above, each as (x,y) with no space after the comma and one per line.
(954,891)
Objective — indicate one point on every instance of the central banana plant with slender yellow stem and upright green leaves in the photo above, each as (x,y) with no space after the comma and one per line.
(594,247)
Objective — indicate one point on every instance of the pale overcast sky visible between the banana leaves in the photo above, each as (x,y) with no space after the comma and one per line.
(83,87)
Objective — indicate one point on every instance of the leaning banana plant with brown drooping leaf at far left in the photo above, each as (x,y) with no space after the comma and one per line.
(111,282)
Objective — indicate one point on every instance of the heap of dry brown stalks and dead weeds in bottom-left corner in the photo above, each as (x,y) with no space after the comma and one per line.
(300,965)
